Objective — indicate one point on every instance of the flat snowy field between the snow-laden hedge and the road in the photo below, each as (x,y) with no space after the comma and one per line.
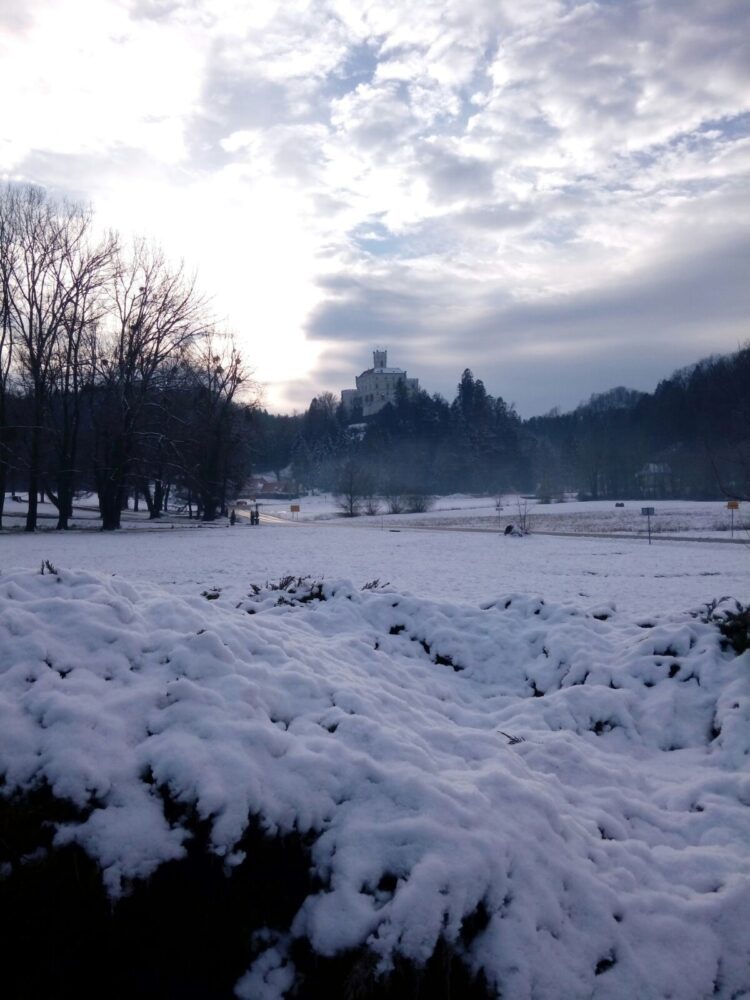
(463,566)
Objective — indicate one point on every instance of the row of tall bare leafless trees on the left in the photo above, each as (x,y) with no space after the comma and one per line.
(112,376)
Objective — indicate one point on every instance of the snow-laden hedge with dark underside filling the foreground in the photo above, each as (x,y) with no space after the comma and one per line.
(325,789)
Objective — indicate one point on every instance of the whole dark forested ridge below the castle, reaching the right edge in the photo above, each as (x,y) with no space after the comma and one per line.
(689,438)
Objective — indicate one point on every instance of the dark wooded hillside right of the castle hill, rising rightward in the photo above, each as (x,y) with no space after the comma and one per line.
(688,439)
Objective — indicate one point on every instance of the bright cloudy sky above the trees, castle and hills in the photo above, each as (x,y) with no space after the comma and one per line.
(553,193)
